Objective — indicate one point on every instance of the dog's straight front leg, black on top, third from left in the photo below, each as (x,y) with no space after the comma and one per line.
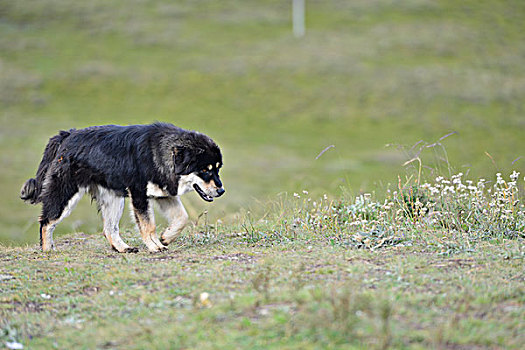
(145,218)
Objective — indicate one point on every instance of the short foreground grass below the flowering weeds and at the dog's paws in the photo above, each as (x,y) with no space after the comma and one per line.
(295,294)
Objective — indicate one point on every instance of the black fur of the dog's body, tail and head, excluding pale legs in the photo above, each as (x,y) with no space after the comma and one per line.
(120,158)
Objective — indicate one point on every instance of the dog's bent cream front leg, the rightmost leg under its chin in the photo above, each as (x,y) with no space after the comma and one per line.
(176,215)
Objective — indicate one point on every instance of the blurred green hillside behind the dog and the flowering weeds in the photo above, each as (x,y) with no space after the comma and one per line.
(366,74)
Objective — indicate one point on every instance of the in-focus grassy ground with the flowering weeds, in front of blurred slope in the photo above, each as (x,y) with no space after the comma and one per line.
(434,265)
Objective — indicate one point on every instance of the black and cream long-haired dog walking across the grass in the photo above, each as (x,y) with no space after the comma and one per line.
(157,162)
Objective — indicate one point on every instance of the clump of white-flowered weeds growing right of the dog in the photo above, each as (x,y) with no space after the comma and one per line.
(454,206)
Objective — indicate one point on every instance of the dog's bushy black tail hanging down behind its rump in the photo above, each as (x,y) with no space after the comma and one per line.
(32,188)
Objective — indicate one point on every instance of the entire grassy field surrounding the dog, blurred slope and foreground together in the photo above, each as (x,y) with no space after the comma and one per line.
(351,250)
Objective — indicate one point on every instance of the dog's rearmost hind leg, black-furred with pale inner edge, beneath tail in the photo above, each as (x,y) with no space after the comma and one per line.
(56,207)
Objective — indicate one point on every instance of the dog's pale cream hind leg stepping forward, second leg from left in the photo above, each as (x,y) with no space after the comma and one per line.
(111,207)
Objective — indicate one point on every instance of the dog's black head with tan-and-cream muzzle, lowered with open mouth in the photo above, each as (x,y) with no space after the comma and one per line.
(197,162)
